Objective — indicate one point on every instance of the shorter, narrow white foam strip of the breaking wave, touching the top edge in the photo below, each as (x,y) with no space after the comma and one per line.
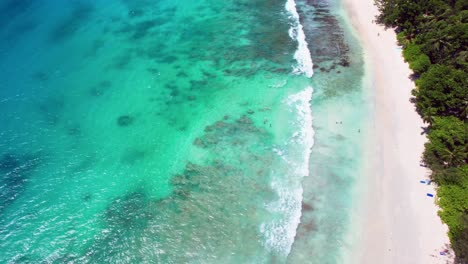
(296,32)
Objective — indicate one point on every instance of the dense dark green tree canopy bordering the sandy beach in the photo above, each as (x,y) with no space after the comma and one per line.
(434,36)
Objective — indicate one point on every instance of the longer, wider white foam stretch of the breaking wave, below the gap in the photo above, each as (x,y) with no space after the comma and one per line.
(280,234)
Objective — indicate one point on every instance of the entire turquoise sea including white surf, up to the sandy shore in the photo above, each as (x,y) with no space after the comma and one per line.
(157,131)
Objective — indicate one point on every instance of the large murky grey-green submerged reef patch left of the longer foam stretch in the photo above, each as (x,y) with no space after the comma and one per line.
(190,224)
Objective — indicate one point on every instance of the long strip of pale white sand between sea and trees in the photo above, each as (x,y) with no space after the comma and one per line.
(401,224)
